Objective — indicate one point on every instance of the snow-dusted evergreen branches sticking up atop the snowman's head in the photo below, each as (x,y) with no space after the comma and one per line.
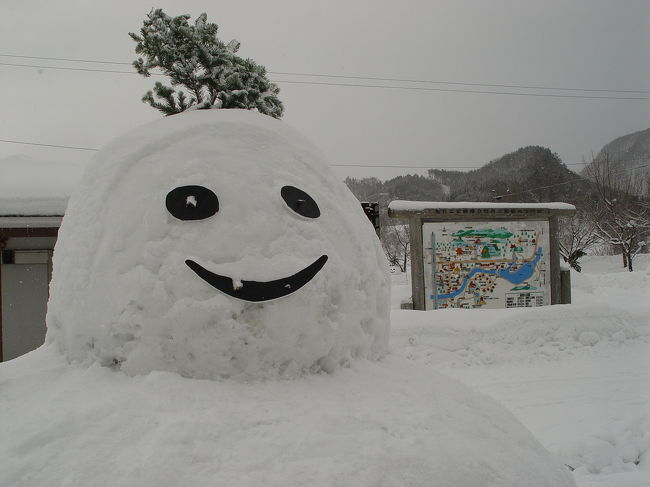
(209,69)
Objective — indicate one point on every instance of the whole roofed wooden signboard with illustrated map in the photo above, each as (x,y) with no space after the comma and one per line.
(484,255)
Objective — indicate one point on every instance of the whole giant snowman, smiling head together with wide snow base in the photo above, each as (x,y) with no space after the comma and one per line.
(217,245)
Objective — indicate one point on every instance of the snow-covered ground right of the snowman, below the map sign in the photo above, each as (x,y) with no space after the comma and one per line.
(578,376)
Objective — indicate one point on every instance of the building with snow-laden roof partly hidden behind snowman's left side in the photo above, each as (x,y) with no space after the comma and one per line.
(33,199)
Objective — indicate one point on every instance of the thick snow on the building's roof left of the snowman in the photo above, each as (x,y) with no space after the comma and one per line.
(36,188)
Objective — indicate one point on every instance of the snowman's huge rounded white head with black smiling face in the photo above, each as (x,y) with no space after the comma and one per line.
(217,244)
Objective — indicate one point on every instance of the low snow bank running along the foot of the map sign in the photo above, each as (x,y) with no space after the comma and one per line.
(461,338)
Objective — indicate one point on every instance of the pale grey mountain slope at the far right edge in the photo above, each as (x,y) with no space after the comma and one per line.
(623,155)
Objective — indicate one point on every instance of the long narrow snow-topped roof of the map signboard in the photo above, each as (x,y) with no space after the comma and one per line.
(402,208)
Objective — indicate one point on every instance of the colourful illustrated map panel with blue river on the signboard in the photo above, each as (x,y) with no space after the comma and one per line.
(486,264)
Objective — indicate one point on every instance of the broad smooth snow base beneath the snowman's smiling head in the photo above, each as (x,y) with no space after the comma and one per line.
(386,423)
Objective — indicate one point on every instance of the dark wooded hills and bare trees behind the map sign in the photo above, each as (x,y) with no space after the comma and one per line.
(611,196)
